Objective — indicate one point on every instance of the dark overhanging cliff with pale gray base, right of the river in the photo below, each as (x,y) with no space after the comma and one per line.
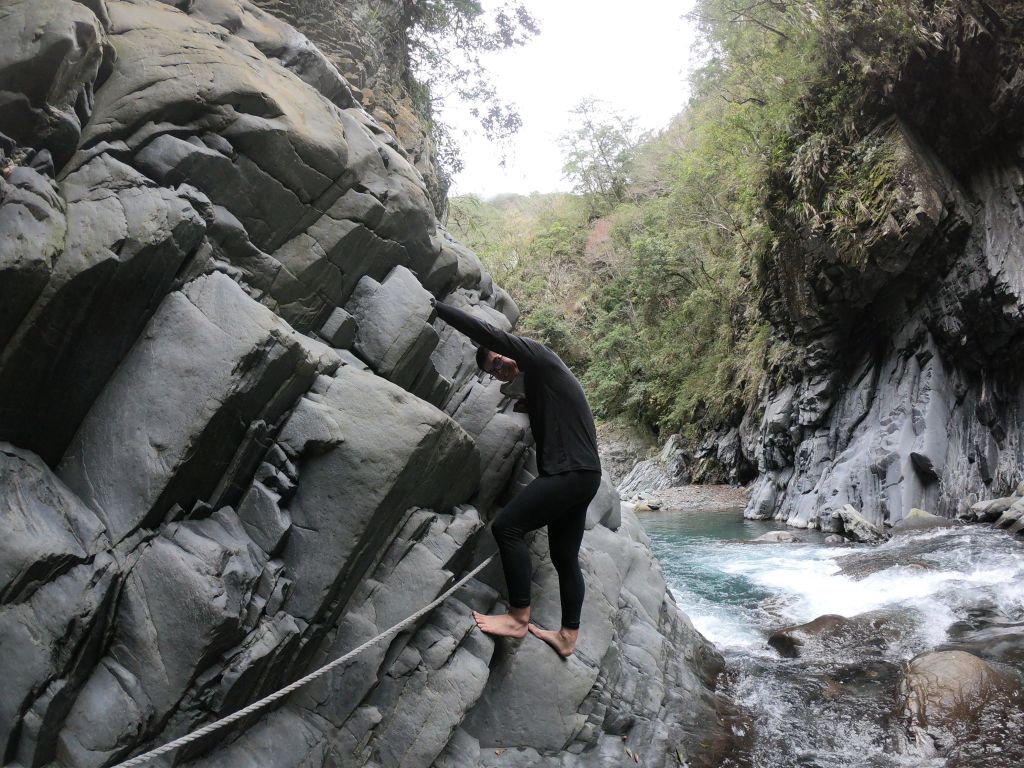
(907,392)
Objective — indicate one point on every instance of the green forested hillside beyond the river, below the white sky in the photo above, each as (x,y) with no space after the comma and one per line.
(654,286)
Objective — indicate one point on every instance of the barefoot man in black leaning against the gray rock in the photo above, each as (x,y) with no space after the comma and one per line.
(570,475)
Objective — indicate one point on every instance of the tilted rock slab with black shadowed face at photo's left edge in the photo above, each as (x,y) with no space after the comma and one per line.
(126,240)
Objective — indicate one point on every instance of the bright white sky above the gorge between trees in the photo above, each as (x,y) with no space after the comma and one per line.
(634,56)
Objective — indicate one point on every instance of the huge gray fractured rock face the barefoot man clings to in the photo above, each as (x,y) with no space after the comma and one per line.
(236,445)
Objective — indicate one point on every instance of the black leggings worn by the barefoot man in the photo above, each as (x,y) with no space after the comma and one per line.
(561,503)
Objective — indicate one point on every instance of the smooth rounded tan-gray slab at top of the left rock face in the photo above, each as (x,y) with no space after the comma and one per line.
(284,133)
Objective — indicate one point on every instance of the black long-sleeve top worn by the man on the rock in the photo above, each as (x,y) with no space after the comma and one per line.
(560,415)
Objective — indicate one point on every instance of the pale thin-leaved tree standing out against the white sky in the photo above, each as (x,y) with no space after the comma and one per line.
(600,152)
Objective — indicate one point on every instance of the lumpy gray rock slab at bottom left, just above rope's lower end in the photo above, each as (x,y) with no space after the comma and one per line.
(207,567)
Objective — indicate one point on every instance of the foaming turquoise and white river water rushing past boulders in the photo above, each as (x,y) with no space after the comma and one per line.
(837,707)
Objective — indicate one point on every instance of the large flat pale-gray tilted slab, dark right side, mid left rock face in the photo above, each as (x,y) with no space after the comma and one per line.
(211,362)
